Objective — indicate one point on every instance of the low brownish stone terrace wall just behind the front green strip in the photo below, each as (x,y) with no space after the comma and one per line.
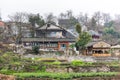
(83,69)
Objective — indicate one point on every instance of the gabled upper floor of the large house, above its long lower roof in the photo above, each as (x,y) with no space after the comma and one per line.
(52,31)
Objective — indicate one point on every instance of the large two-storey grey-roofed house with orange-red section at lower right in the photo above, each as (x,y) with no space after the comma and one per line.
(50,36)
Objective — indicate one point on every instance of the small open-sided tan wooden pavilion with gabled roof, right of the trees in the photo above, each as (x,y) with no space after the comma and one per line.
(98,48)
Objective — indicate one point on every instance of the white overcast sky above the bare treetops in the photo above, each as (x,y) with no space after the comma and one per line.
(9,7)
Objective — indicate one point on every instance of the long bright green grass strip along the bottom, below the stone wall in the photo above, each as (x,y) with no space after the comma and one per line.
(64,75)
